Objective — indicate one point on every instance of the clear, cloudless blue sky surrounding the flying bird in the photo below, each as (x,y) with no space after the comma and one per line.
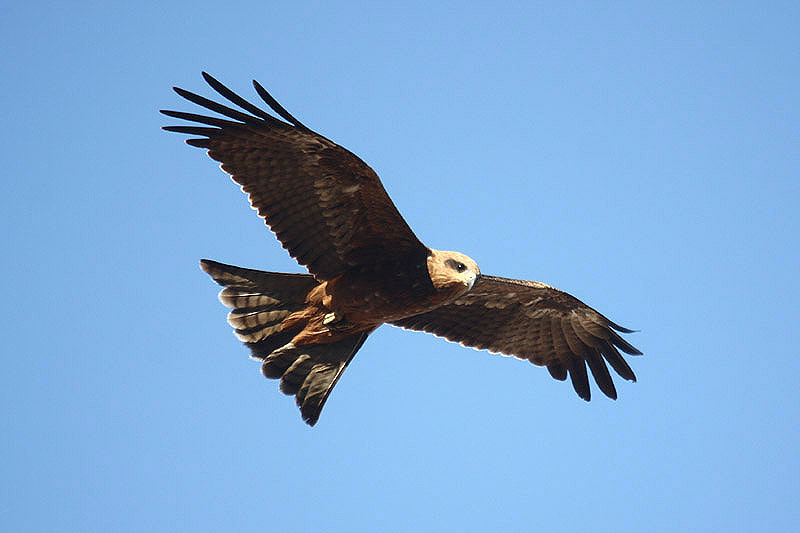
(645,159)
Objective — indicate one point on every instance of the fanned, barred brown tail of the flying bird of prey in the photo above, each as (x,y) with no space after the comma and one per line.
(259,303)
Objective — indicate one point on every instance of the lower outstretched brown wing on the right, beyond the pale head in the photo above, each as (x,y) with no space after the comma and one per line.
(533,321)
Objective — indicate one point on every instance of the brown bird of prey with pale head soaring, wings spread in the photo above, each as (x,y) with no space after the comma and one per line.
(366,267)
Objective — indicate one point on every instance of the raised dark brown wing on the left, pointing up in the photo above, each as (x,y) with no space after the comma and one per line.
(326,206)
